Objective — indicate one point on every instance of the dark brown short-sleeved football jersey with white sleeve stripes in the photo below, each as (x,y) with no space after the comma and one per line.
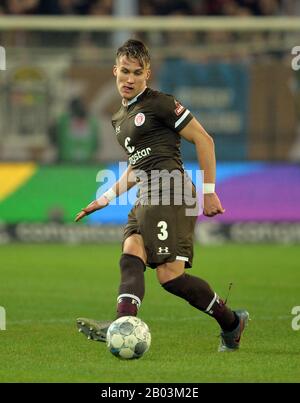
(148,129)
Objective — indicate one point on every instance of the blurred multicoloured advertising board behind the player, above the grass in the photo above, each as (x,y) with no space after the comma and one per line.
(261,201)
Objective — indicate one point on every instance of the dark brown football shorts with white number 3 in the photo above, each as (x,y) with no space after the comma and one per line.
(167,232)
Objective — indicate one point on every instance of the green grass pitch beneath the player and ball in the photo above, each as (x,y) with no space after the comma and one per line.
(44,288)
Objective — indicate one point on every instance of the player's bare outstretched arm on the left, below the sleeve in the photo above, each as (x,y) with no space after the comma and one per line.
(126,182)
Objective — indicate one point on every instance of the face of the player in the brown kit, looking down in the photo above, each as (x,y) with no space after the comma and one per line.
(131,77)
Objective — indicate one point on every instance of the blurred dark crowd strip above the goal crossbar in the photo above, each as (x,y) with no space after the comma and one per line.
(153,7)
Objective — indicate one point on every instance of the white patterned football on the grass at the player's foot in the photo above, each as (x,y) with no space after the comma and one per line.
(128,337)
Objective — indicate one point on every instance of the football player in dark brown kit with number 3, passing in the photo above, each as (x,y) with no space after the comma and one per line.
(149,126)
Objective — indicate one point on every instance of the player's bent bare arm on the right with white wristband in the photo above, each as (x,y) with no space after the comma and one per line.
(205,148)
